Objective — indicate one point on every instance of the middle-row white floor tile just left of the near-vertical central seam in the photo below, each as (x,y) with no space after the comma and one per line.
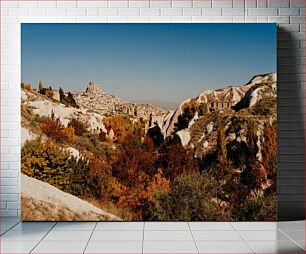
(101,236)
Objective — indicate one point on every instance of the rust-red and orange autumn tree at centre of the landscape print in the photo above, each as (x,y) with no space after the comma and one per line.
(136,170)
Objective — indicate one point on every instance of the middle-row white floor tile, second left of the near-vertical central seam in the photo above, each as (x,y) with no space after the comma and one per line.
(69,236)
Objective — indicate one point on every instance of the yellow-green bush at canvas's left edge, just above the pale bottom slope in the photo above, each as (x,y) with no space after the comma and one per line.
(49,163)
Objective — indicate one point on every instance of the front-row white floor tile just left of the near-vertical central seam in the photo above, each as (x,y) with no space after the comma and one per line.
(114,247)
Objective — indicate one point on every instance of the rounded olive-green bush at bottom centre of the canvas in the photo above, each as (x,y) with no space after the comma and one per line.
(190,199)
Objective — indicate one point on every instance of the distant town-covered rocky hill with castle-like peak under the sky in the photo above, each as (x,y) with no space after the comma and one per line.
(96,99)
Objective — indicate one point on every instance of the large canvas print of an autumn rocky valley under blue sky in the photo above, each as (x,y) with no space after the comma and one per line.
(148,122)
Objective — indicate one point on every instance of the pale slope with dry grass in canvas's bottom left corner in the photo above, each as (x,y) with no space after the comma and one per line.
(49,203)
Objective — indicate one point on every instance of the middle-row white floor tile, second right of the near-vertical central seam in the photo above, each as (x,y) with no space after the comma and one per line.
(216,236)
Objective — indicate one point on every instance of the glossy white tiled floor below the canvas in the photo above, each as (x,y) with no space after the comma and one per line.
(152,237)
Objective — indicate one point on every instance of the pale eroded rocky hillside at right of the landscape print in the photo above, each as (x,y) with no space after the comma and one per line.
(234,109)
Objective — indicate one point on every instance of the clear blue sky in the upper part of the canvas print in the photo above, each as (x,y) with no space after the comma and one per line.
(166,62)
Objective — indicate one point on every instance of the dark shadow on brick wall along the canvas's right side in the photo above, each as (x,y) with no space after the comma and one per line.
(290,130)
